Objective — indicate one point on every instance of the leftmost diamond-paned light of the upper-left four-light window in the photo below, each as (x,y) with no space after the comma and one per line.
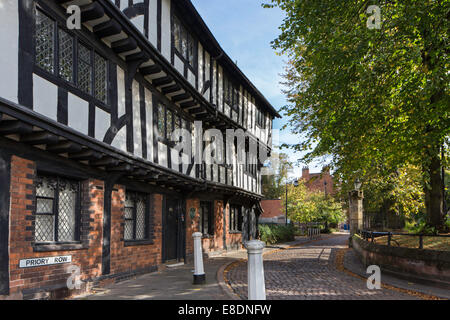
(45,42)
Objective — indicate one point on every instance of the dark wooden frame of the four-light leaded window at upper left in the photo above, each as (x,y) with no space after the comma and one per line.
(55,76)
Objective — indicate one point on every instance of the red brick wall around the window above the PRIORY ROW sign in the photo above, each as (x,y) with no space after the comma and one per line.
(22,228)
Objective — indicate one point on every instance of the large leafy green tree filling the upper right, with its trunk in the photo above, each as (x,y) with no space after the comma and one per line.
(376,100)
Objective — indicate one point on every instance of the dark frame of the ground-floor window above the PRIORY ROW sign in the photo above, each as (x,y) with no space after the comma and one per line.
(55,211)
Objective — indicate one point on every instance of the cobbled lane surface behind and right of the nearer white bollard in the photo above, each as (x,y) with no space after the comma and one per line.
(309,272)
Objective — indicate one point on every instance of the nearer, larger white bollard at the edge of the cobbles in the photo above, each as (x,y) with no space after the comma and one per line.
(256,285)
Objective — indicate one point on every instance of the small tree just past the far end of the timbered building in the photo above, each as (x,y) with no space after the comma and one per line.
(273,185)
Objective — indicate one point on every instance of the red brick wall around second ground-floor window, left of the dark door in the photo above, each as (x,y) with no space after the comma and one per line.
(137,257)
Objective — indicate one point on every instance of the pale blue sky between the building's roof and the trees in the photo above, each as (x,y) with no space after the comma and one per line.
(244,30)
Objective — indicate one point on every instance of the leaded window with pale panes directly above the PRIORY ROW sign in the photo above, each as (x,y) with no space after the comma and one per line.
(57,210)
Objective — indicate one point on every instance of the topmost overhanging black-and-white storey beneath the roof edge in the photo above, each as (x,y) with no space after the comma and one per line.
(169,44)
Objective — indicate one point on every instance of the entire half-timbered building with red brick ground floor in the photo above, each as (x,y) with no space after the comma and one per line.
(90,175)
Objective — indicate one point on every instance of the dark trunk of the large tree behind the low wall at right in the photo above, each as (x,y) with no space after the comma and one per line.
(434,198)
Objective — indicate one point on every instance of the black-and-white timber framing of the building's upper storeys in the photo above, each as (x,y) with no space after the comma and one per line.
(117,138)
